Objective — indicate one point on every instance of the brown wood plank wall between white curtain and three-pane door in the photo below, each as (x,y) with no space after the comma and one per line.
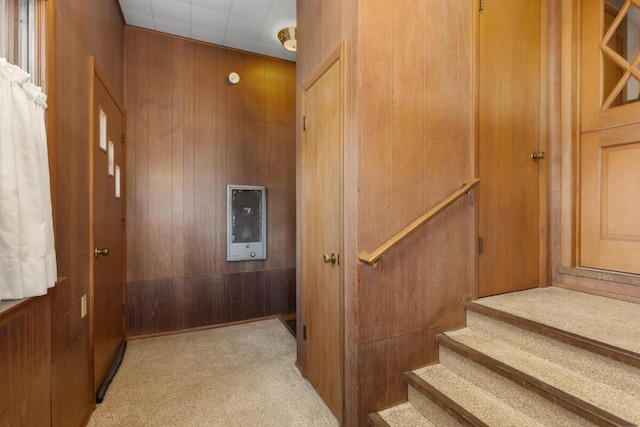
(83,29)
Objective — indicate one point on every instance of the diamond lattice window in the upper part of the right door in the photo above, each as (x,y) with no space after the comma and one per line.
(624,45)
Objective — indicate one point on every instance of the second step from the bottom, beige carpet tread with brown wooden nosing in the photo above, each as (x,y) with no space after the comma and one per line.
(467,402)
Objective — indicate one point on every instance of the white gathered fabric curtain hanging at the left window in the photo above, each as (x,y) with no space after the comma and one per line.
(27,252)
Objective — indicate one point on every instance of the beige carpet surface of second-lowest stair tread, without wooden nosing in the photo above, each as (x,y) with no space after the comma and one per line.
(474,399)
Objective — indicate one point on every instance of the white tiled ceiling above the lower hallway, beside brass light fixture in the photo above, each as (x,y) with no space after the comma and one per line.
(250,25)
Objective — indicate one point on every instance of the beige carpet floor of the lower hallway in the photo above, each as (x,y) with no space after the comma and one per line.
(242,375)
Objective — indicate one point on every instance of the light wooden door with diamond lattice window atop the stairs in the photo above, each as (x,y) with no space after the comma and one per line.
(609,220)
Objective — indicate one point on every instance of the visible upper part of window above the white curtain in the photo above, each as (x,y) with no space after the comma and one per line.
(22,35)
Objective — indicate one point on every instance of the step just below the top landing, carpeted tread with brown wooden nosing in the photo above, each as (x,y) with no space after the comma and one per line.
(594,400)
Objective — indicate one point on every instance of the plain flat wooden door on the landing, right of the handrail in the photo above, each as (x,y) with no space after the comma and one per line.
(509,122)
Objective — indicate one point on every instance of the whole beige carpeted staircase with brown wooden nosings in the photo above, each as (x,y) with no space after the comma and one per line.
(542,357)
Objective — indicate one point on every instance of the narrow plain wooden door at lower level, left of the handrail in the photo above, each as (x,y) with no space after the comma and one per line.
(321,231)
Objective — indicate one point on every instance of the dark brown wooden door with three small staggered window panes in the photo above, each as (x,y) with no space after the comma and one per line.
(108,239)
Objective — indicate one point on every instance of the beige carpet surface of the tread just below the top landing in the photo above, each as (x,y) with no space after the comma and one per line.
(604,396)
